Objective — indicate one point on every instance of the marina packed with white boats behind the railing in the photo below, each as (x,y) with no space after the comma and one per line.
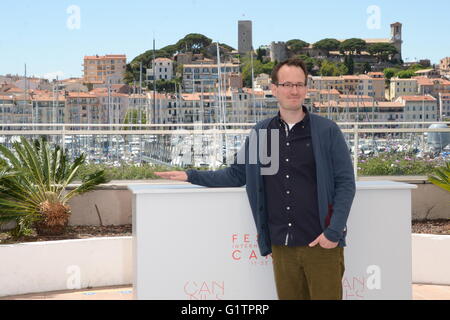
(212,146)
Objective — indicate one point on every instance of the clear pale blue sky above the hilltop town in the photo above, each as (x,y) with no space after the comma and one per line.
(52,37)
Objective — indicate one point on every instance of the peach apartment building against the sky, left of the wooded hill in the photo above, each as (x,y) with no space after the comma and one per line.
(98,69)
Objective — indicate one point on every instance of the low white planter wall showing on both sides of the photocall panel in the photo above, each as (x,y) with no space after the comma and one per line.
(58,265)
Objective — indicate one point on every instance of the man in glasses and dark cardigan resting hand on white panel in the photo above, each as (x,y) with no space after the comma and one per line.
(301,210)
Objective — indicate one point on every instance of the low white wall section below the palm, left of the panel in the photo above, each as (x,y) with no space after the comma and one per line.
(64,265)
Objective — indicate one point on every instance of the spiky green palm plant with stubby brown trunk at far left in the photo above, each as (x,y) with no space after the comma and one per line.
(33,182)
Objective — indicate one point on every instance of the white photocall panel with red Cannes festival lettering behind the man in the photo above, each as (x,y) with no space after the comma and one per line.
(197,243)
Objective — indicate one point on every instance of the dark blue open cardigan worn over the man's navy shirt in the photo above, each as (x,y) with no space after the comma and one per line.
(335,181)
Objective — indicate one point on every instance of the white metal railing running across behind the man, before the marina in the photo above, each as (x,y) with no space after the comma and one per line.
(351,129)
